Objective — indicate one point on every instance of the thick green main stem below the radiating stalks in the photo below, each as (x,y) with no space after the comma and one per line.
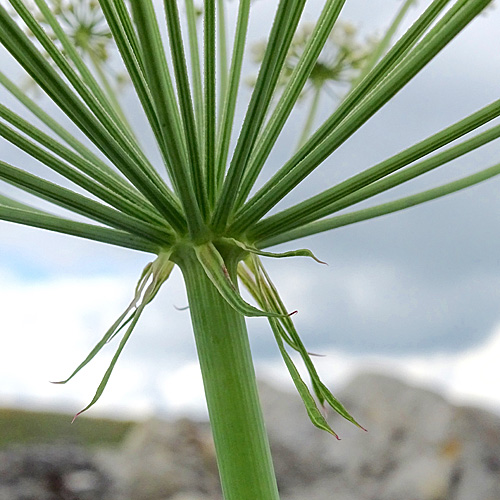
(242,447)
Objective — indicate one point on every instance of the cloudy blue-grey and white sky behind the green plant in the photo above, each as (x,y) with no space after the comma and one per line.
(415,293)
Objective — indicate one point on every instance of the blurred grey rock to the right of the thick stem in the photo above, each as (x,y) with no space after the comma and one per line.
(418,446)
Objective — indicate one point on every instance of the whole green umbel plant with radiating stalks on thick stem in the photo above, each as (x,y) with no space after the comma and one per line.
(196,208)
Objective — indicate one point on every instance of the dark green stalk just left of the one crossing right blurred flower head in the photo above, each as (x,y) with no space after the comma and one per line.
(282,31)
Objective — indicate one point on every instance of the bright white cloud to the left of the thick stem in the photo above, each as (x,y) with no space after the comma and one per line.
(49,326)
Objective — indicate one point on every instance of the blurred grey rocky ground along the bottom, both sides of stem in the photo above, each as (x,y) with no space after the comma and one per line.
(418,447)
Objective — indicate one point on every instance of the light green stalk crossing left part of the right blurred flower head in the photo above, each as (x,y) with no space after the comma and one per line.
(290,95)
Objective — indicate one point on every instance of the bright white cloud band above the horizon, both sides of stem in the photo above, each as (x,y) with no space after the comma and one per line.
(48,327)
